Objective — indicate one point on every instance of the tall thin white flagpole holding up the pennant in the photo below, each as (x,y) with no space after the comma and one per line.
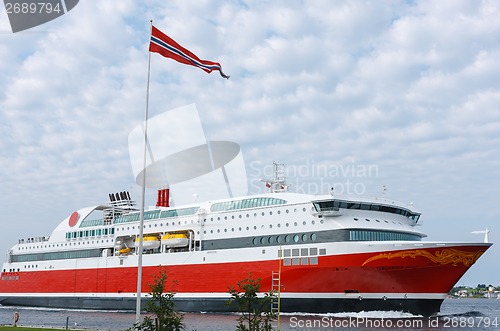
(143,198)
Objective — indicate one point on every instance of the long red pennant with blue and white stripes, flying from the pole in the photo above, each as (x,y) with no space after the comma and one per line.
(166,46)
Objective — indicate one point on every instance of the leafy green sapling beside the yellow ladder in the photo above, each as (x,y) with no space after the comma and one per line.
(256,311)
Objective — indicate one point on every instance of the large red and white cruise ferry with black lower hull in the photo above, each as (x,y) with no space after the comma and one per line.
(331,253)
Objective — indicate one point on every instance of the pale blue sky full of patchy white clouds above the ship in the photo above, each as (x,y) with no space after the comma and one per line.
(401,94)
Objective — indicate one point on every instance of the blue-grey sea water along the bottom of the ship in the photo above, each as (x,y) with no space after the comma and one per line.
(456,314)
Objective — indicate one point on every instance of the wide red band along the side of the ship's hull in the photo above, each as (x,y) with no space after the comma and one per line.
(426,270)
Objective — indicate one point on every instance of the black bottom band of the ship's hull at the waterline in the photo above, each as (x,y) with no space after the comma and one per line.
(424,307)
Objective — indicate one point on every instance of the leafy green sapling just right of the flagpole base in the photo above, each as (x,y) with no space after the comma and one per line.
(161,306)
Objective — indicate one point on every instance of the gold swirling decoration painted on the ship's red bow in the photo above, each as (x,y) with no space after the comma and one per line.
(445,256)
